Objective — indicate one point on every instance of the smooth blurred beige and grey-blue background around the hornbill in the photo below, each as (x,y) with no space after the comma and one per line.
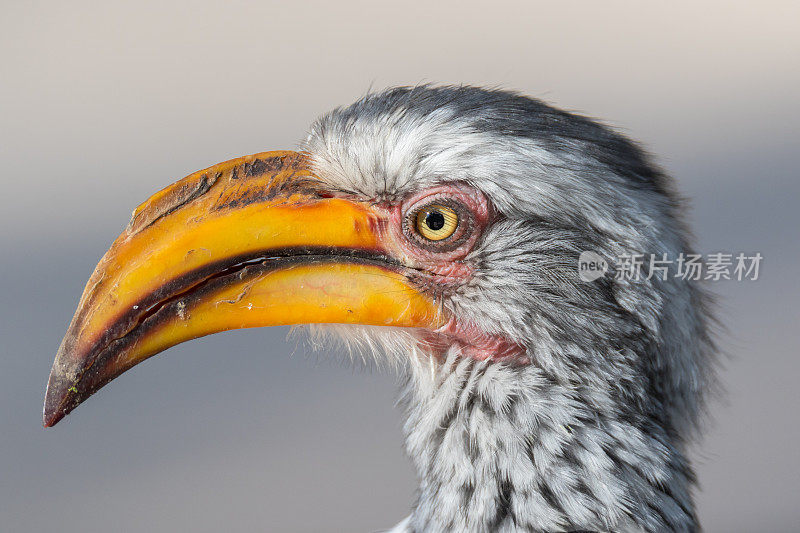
(103,103)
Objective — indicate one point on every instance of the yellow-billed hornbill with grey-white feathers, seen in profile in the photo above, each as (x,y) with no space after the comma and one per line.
(443,225)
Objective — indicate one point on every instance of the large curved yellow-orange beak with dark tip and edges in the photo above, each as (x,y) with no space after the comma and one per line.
(255,241)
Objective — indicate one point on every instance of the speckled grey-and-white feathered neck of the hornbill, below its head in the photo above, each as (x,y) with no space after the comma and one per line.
(502,447)
